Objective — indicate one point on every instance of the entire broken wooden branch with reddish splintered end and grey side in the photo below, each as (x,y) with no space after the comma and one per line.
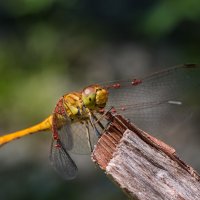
(144,168)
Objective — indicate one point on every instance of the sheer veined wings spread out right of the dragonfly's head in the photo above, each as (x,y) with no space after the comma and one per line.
(160,101)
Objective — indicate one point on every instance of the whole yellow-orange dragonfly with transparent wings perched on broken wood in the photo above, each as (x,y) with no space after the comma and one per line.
(158,100)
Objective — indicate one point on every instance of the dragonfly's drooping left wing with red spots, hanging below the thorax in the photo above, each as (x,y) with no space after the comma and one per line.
(62,142)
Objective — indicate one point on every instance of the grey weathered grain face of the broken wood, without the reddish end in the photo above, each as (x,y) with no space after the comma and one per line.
(148,174)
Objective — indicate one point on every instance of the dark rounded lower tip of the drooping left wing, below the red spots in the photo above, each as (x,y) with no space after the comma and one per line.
(62,162)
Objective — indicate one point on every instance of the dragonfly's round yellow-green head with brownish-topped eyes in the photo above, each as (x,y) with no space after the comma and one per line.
(94,97)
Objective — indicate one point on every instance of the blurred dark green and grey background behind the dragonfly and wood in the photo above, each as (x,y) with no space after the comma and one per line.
(50,47)
